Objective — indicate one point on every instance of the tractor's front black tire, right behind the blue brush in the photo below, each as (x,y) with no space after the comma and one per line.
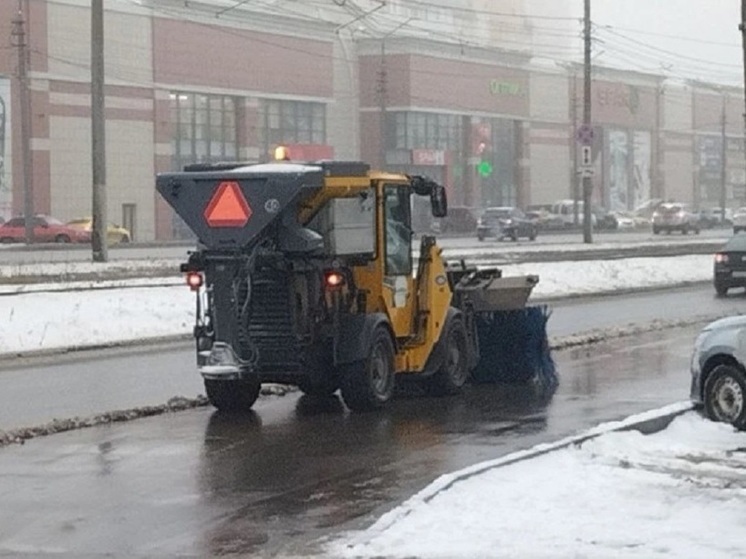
(453,372)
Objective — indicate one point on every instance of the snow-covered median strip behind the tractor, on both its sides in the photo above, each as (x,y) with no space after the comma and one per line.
(41,317)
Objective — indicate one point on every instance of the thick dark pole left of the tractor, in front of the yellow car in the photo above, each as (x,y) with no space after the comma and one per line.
(98,133)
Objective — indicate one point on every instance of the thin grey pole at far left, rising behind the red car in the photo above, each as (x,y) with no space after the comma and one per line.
(18,36)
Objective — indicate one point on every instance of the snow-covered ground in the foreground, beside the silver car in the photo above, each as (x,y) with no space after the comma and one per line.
(679,493)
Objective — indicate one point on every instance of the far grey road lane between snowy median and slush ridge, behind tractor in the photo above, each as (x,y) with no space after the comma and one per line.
(38,390)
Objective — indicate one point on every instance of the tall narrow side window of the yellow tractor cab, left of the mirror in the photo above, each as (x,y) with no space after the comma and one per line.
(398,237)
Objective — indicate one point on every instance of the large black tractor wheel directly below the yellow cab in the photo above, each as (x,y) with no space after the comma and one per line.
(368,384)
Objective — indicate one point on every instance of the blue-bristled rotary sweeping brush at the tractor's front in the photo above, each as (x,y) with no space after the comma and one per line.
(514,347)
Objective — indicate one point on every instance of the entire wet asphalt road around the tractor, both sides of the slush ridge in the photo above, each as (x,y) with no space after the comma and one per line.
(194,484)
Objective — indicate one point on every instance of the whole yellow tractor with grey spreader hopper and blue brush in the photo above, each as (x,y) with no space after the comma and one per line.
(305,275)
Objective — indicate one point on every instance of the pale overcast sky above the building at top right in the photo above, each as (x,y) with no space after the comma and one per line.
(688,38)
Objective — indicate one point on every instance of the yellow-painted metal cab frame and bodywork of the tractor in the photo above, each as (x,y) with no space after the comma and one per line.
(415,304)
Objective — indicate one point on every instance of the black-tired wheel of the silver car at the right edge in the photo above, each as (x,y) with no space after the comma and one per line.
(725,396)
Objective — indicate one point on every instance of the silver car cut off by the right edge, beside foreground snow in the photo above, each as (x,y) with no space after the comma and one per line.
(718,365)
